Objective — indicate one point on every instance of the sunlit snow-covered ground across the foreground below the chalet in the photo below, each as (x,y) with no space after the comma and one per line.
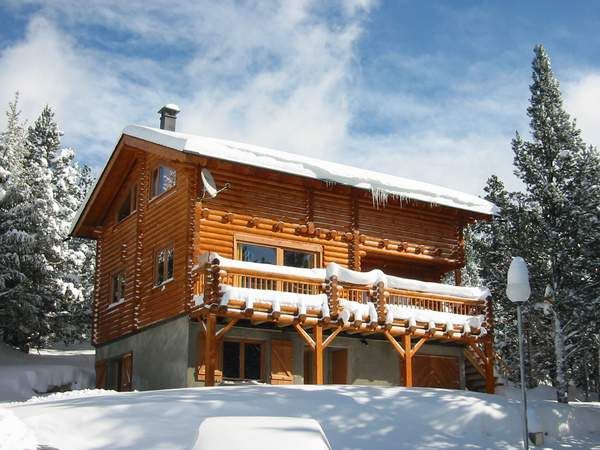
(352,417)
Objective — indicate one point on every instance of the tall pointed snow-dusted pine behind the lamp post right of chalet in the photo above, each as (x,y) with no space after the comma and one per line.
(545,225)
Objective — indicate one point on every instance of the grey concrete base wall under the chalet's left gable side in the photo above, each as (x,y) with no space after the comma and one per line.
(160,354)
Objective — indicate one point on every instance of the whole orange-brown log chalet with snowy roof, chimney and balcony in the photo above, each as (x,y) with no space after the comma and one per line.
(220,262)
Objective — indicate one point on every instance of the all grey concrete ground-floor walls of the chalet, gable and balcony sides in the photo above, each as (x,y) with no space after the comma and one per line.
(165,355)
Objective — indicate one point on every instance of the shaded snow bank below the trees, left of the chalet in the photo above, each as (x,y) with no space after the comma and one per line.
(23,376)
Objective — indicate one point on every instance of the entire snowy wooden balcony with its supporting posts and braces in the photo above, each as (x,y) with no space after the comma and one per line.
(335,300)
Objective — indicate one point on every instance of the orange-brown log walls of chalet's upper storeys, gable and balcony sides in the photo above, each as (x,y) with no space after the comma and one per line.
(410,239)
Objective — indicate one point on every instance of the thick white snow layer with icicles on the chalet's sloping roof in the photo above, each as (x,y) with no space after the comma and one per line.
(381,185)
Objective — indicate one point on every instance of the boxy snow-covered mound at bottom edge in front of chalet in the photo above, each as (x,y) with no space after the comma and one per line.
(250,433)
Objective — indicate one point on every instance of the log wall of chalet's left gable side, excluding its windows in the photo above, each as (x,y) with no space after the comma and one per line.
(164,221)
